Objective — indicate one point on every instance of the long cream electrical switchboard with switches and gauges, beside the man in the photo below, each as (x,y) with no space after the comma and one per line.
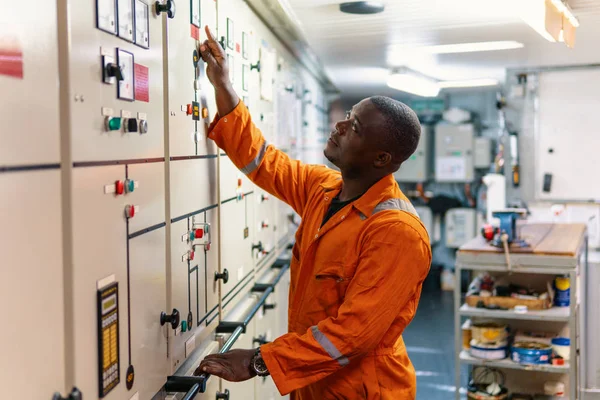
(163,237)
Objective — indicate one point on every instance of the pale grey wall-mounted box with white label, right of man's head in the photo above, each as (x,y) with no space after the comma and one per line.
(454,152)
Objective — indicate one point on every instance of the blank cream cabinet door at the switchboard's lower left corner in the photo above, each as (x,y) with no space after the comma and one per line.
(32,280)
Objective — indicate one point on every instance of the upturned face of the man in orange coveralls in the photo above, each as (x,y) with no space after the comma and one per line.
(353,145)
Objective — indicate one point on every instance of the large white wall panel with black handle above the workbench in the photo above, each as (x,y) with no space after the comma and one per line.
(567,102)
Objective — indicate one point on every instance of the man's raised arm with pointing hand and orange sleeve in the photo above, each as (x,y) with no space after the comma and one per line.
(233,131)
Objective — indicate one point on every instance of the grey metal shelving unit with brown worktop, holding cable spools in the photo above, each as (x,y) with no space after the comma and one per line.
(568,257)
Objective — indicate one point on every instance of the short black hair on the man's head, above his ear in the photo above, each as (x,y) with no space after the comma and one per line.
(402,126)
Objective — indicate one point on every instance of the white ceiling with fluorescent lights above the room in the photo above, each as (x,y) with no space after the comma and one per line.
(359,50)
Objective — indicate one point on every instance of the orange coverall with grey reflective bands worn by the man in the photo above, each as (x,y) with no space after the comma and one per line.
(355,281)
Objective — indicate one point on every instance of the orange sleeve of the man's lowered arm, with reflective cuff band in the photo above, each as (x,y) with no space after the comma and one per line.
(393,263)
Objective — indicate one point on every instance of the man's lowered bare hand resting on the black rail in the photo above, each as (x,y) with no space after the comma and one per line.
(233,366)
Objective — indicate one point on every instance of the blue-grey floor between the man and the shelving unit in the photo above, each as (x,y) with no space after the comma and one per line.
(430,343)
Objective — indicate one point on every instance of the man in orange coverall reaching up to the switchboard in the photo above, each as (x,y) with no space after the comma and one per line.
(360,257)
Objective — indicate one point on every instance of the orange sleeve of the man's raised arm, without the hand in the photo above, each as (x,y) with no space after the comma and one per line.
(269,168)
